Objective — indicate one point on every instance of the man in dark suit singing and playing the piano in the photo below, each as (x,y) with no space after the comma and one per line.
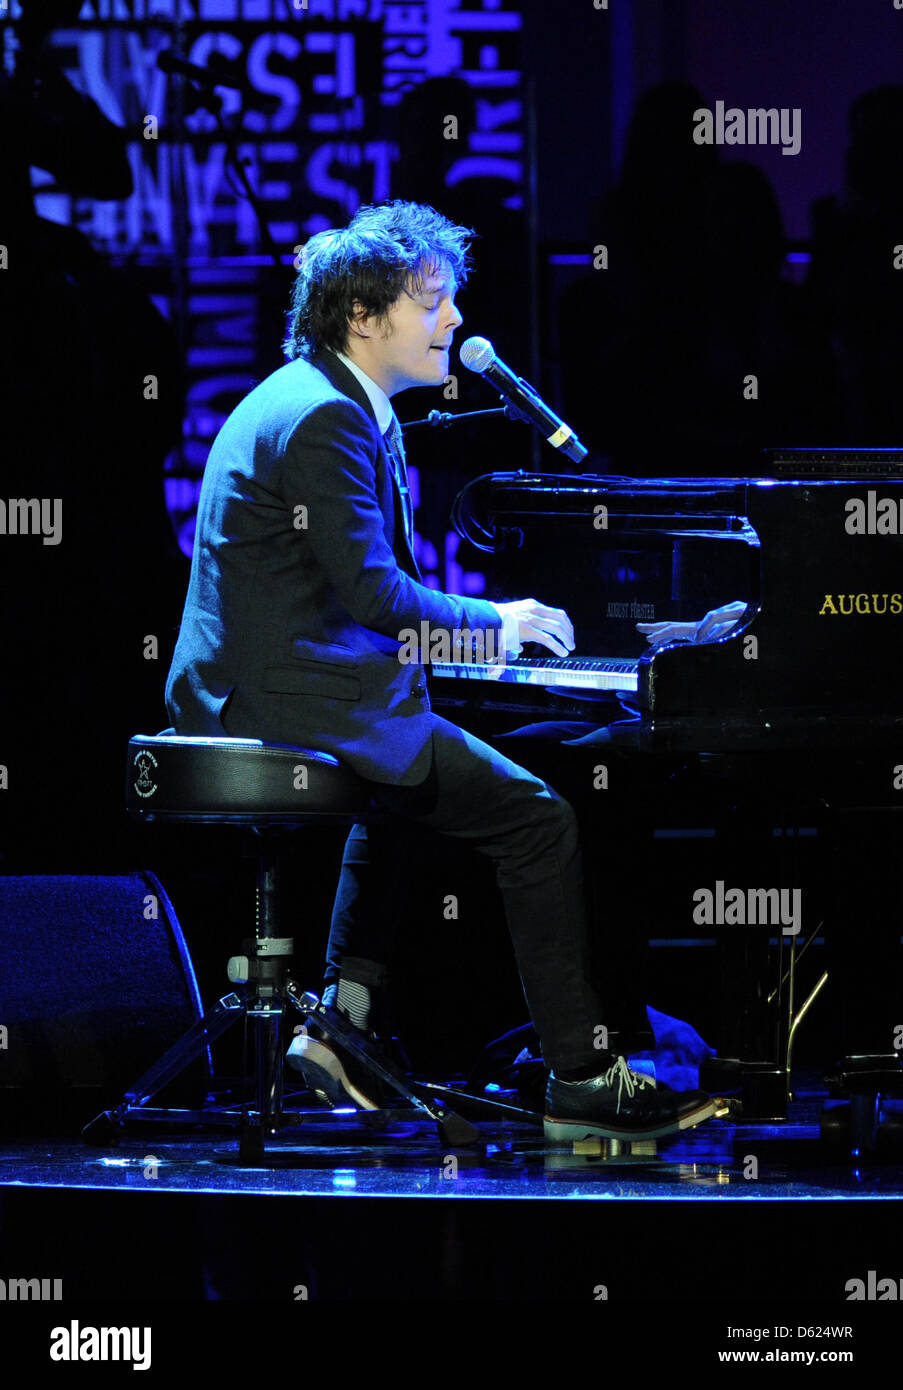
(302,580)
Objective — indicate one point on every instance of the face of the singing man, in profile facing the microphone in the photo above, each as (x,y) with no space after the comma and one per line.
(408,351)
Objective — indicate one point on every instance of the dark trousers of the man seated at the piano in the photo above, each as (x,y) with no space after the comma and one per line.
(477,796)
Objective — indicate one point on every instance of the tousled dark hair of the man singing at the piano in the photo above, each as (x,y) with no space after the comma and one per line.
(372,261)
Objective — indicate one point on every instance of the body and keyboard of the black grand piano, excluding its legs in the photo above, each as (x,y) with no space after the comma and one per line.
(813,664)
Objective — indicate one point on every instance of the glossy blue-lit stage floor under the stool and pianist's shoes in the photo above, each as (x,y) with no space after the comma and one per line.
(326,1153)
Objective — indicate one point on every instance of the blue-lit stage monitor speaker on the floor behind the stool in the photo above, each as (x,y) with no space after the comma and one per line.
(97,982)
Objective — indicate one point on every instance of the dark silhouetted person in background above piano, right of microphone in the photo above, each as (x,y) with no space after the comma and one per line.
(656,351)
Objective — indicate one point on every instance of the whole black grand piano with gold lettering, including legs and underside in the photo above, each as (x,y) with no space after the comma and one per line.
(800,708)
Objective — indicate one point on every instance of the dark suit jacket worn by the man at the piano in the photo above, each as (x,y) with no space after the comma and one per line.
(292,619)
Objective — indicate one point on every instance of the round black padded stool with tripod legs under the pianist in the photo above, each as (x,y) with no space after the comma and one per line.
(267,789)
